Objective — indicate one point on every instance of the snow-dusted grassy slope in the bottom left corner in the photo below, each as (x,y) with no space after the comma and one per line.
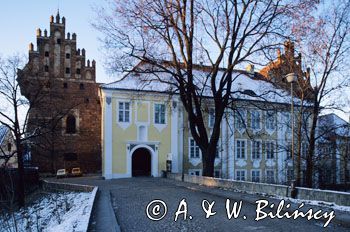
(54,212)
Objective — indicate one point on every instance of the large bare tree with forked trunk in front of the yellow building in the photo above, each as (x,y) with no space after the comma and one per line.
(170,37)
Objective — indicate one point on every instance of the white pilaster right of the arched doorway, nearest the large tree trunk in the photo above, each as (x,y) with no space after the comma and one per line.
(174,137)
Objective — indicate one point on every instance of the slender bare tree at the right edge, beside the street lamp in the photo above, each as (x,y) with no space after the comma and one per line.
(324,43)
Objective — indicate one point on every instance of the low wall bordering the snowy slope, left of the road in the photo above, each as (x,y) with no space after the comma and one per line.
(47,185)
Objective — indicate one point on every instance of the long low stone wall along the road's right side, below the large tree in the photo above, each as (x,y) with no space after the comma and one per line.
(339,198)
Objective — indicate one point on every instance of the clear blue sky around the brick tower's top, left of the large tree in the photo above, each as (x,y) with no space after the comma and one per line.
(20,19)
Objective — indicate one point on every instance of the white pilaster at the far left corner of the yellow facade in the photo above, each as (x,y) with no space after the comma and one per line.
(108,140)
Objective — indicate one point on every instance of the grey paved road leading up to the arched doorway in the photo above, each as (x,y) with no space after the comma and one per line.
(131,196)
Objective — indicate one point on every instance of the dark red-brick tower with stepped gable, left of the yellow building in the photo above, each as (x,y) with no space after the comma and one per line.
(65,115)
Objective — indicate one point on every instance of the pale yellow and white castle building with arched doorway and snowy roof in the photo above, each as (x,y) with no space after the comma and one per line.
(144,126)
